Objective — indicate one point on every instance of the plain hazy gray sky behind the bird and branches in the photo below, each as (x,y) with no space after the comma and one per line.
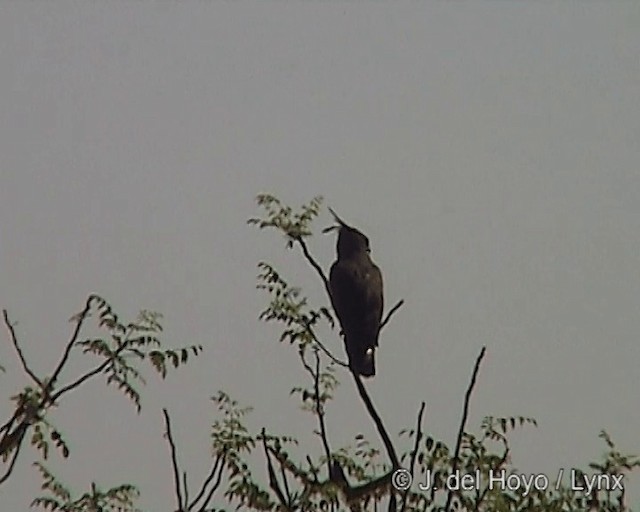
(489,151)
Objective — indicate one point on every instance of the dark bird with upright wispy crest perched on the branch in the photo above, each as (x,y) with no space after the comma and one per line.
(355,285)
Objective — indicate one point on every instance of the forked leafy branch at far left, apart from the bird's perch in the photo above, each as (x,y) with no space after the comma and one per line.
(123,343)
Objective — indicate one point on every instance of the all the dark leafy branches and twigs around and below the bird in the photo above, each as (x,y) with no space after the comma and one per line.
(362,476)
